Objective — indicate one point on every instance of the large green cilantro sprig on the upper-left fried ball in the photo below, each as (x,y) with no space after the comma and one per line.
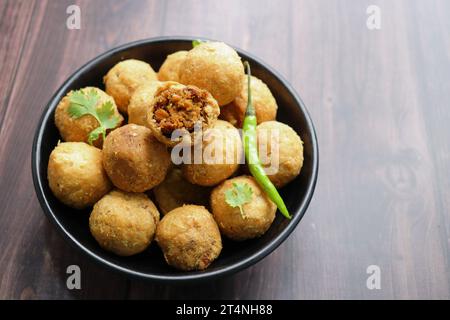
(83,103)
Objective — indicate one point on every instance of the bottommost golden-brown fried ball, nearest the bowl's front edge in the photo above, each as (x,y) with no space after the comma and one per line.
(189,238)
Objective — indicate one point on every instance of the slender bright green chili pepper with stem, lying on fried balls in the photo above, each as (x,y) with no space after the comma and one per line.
(251,152)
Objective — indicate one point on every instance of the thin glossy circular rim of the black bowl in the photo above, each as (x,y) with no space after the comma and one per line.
(206,274)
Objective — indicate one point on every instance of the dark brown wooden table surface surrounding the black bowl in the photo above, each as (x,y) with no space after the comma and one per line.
(380,103)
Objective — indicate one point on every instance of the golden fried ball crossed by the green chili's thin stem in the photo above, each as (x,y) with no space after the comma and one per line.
(262,99)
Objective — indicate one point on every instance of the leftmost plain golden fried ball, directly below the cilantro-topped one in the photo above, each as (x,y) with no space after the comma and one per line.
(76,175)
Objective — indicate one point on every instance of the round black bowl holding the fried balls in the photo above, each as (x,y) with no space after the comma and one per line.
(150,264)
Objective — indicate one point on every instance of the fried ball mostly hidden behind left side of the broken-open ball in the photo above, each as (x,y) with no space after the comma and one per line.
(140,101)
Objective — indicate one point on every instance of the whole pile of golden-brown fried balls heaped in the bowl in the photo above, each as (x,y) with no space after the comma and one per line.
(128,182)
